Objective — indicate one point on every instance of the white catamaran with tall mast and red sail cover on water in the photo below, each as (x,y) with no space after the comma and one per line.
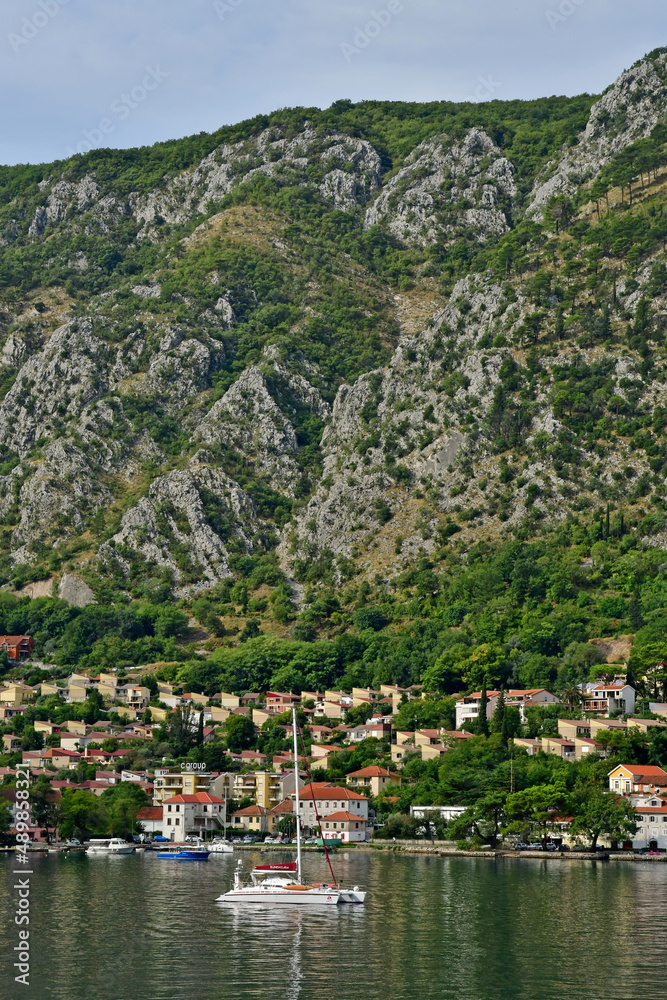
(283,883)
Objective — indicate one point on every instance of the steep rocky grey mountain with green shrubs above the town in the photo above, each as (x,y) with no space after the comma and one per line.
(335,353)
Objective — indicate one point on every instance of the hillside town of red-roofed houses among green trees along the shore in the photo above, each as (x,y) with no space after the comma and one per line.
(130,754)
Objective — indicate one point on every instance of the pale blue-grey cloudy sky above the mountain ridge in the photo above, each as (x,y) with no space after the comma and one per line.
(78,74)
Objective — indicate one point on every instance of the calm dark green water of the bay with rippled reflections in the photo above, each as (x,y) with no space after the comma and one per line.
(136,928)
